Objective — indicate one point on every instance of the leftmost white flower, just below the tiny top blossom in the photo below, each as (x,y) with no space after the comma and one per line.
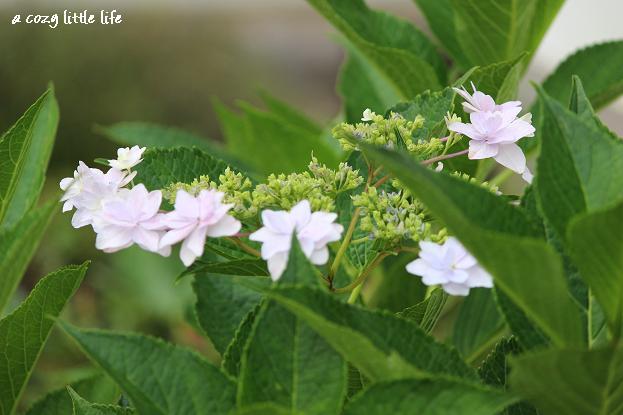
(88,189)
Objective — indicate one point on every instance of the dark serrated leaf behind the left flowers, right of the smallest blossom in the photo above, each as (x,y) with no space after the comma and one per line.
(162,167)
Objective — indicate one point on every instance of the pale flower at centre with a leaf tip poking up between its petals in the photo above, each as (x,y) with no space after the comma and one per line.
(313,231)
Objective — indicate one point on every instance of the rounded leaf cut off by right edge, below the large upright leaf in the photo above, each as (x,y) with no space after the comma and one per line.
(598,252)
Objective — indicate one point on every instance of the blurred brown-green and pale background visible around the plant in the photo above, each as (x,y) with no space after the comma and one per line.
(164,64)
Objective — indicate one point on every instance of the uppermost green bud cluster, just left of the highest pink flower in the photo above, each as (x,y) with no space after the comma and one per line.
(382,131)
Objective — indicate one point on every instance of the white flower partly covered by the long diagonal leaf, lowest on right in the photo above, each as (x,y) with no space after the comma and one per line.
(450,265)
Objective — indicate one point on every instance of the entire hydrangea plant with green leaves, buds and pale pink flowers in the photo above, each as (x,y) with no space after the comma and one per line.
(372,267)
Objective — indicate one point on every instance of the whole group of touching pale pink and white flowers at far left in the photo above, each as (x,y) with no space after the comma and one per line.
(122,217)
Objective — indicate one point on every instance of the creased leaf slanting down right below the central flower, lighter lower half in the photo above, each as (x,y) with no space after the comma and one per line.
(381,345)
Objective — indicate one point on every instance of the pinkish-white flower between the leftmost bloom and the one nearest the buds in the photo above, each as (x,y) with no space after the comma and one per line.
(131,217)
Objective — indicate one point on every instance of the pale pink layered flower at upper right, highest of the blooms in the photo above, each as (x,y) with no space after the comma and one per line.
(494,129)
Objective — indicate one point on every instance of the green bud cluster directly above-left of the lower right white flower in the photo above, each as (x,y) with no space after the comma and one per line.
(393,216)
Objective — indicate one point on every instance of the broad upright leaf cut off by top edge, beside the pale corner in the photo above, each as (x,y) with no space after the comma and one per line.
(491,31)
